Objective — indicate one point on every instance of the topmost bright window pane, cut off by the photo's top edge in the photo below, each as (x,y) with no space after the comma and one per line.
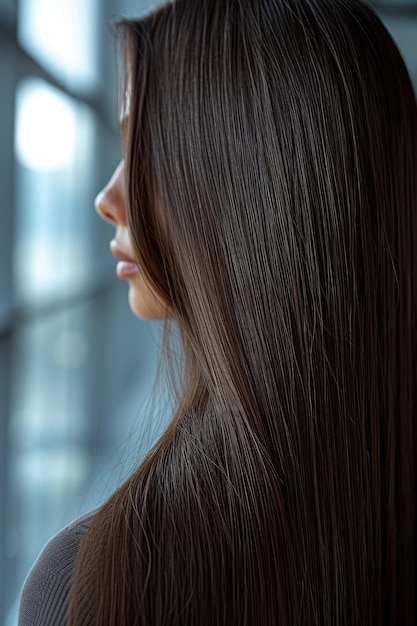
(62,36)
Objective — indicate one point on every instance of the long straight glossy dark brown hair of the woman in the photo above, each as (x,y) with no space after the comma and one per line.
(271,171)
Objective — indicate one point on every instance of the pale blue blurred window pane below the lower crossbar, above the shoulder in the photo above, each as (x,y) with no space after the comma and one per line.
(48,433)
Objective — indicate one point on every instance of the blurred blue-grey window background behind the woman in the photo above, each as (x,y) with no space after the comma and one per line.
(76,368)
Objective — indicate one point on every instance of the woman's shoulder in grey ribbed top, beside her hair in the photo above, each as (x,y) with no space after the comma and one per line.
(45,595)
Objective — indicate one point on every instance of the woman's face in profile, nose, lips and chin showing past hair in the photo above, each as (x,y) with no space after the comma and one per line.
(110,205)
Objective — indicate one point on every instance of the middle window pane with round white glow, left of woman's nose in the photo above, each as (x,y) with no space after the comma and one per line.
(54,141)
